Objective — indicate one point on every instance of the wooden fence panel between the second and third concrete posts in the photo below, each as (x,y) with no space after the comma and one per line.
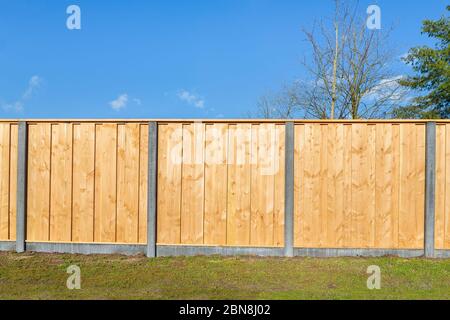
(221,184)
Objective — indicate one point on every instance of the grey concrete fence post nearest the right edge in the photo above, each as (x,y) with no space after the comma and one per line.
(430,186)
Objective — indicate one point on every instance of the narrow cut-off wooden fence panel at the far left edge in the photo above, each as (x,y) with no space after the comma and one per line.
(8,180)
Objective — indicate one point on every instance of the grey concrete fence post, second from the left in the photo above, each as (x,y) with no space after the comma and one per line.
(151,202)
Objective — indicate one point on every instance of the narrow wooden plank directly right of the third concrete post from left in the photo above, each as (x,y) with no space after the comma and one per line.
(299,184)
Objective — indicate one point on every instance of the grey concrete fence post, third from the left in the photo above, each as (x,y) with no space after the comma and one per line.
(289,191)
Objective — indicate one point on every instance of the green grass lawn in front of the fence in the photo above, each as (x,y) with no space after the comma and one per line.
(43,276)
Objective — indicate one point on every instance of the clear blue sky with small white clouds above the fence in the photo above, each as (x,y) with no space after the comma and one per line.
(166,58)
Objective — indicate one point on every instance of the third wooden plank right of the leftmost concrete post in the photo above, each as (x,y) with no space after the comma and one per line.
(83,182)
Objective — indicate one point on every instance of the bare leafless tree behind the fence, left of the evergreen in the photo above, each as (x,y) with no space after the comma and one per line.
(348,71)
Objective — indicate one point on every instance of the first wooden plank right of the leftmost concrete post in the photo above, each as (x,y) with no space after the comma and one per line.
(38,192)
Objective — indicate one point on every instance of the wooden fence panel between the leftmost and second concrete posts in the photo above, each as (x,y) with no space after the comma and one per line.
(87,182)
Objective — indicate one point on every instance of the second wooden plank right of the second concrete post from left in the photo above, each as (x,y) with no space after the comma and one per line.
(192,184)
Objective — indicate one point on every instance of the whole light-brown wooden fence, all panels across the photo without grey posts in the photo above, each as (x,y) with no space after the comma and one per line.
(357,184)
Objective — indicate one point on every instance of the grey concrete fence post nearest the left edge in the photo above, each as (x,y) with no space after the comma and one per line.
(21,186)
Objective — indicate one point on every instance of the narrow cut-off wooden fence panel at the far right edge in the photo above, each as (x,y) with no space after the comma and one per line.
(442,225)
